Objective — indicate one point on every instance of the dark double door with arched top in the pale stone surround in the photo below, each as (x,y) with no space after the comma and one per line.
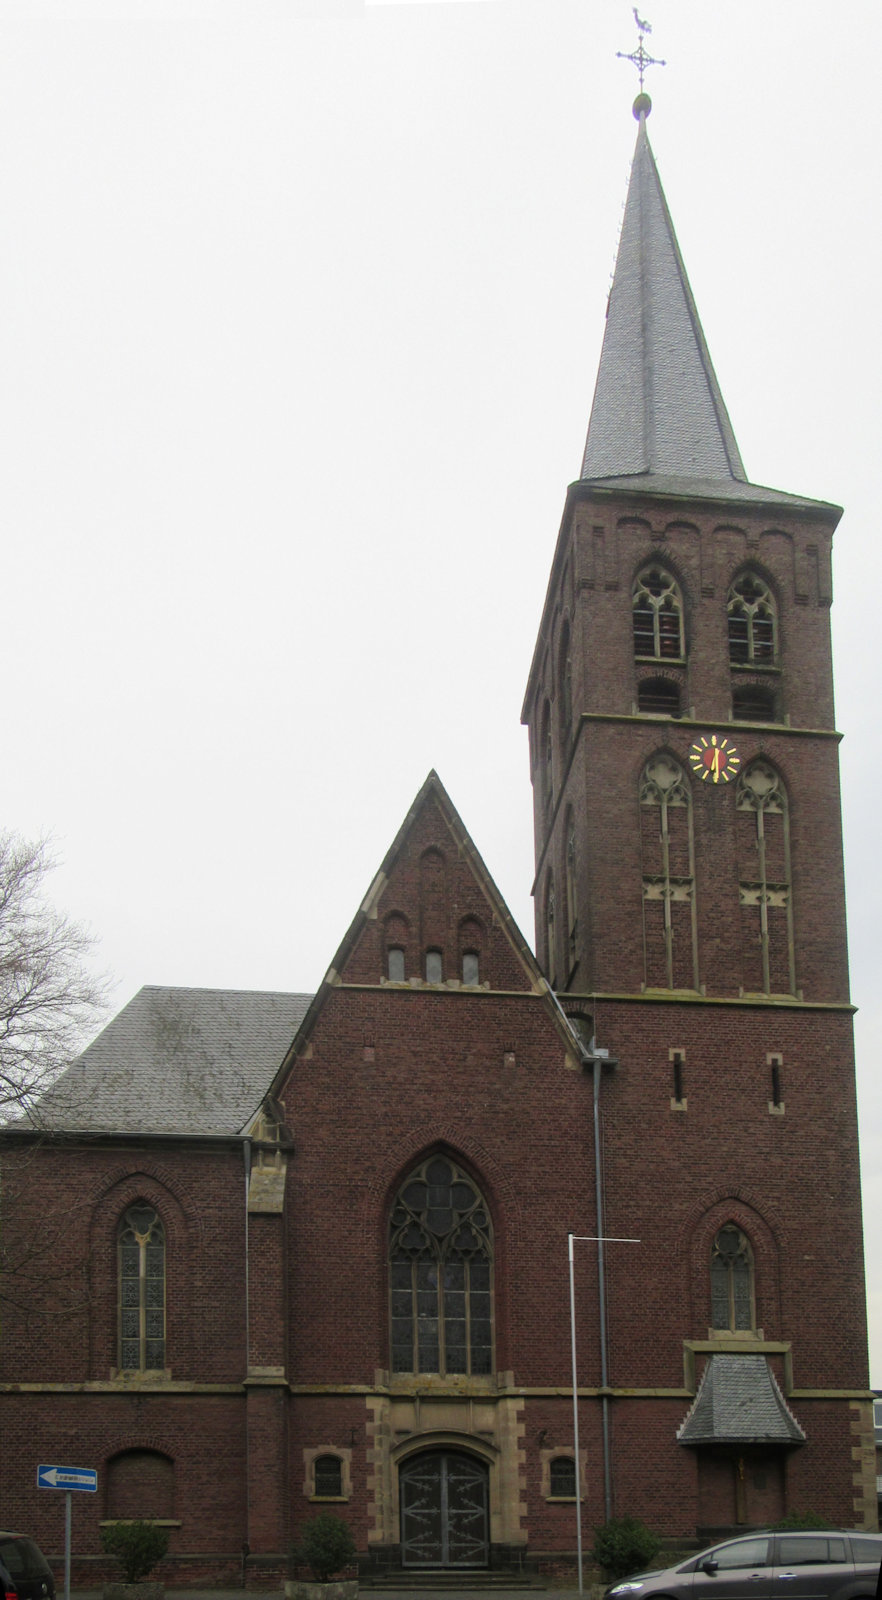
(444,1498)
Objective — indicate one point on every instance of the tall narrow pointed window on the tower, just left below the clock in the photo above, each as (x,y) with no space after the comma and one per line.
(668,852)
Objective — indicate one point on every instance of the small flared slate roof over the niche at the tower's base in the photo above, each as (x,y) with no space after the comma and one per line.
(739,1402)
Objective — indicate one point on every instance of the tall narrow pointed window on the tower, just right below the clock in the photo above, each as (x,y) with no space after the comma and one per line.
(764,889)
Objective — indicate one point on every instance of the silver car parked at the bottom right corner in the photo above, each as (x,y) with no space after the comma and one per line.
(836,1566)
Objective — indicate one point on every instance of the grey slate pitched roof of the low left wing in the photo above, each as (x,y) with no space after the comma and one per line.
(194,1062)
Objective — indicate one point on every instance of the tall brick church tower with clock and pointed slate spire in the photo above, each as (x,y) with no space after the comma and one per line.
(691,905)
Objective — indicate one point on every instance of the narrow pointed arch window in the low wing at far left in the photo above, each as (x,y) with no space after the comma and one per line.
(142,1290)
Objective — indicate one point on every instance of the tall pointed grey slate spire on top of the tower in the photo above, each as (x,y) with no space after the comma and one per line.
(657,406)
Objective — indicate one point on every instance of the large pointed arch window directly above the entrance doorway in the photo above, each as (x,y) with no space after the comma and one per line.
(441,1270)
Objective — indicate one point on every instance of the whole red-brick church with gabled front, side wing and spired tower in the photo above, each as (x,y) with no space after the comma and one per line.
(313,1250)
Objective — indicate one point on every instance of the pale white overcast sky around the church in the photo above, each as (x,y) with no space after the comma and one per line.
(302,306)
